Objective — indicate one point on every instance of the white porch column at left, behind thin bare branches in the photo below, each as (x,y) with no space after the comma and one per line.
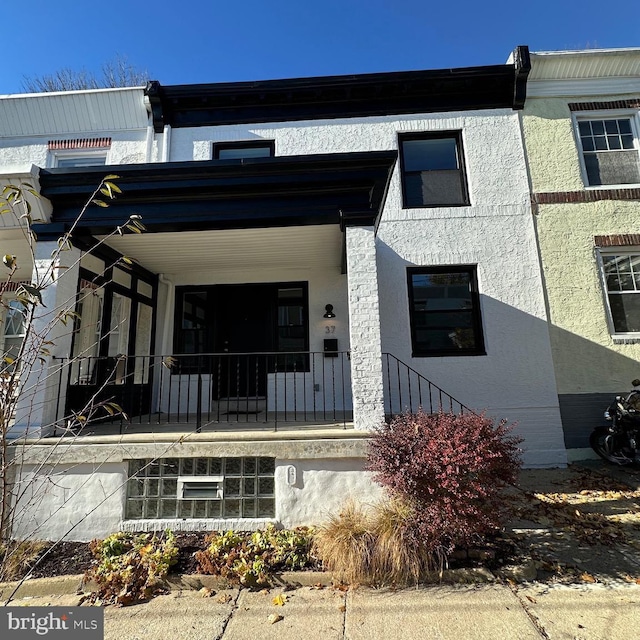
(42,388)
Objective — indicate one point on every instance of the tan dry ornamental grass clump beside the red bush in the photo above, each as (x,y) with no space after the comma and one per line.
(375,545)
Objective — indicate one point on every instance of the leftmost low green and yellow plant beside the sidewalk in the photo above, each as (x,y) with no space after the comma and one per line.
(130,568)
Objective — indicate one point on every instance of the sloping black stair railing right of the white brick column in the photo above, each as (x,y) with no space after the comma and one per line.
(406,389)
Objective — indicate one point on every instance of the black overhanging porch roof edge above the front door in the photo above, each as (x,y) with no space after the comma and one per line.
(225,194)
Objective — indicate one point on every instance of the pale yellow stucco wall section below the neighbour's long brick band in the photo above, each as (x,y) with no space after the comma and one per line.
(587,359)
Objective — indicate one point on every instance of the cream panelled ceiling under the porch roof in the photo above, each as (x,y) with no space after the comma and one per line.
(234,249)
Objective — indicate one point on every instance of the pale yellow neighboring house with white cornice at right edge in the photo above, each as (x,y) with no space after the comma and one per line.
(581,126)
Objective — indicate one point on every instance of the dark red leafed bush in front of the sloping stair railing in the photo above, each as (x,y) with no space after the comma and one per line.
(450,468)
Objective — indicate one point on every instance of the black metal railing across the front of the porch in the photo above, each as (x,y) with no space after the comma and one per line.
(215,388)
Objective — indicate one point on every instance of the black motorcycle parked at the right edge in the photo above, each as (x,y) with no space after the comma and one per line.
(618,441)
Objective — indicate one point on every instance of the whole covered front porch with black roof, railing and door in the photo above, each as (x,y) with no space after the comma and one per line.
(242,281)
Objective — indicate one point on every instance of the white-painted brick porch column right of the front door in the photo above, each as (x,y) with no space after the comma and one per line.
(364,327)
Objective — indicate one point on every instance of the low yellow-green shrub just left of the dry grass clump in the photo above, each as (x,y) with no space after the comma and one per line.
(252,558)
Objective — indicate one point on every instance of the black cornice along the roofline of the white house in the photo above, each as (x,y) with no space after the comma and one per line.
(350,96)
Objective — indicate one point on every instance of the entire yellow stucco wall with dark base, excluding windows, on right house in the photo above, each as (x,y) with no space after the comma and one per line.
(590,365)
